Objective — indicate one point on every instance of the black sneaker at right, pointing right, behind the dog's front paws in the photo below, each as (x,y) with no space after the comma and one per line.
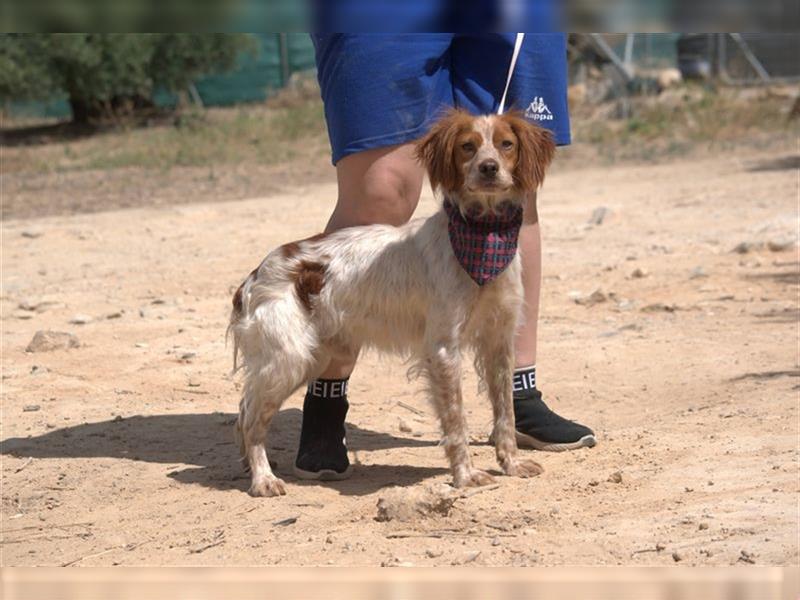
(540,428)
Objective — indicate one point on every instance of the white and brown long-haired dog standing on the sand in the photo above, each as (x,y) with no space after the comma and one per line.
(405,290)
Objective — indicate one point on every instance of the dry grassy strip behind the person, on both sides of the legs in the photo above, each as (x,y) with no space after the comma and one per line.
(257,150)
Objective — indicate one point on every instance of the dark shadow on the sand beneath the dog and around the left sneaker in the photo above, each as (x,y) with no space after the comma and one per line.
(206,441)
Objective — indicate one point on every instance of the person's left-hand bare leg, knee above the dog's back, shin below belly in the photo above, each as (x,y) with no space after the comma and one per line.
(375,186)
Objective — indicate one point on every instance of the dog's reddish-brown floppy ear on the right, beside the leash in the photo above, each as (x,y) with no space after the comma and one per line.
(535,151)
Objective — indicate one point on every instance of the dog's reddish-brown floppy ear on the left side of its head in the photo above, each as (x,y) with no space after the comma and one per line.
(436,151)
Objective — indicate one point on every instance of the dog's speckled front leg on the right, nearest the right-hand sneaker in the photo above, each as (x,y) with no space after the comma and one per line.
(496,354)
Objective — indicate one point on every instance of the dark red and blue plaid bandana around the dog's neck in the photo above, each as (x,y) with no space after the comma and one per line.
(483,245)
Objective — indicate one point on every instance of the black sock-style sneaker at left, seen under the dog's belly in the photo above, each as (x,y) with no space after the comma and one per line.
(322,454)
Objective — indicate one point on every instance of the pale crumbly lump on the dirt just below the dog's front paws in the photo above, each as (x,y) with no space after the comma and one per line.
(412,503)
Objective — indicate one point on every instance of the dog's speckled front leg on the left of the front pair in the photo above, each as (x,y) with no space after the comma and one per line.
(443,369)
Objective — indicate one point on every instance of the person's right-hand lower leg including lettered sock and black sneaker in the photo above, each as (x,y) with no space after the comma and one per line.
(537,426)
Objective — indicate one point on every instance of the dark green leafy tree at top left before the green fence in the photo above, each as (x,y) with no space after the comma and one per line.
(106,74)
